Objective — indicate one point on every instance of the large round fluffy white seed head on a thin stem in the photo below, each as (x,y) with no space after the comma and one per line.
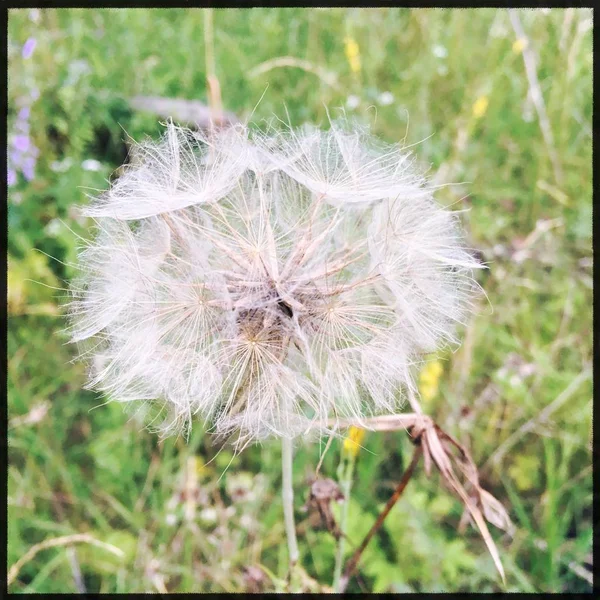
(267,282)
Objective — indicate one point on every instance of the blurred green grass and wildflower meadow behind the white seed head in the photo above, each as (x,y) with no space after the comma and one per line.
(518,393)
